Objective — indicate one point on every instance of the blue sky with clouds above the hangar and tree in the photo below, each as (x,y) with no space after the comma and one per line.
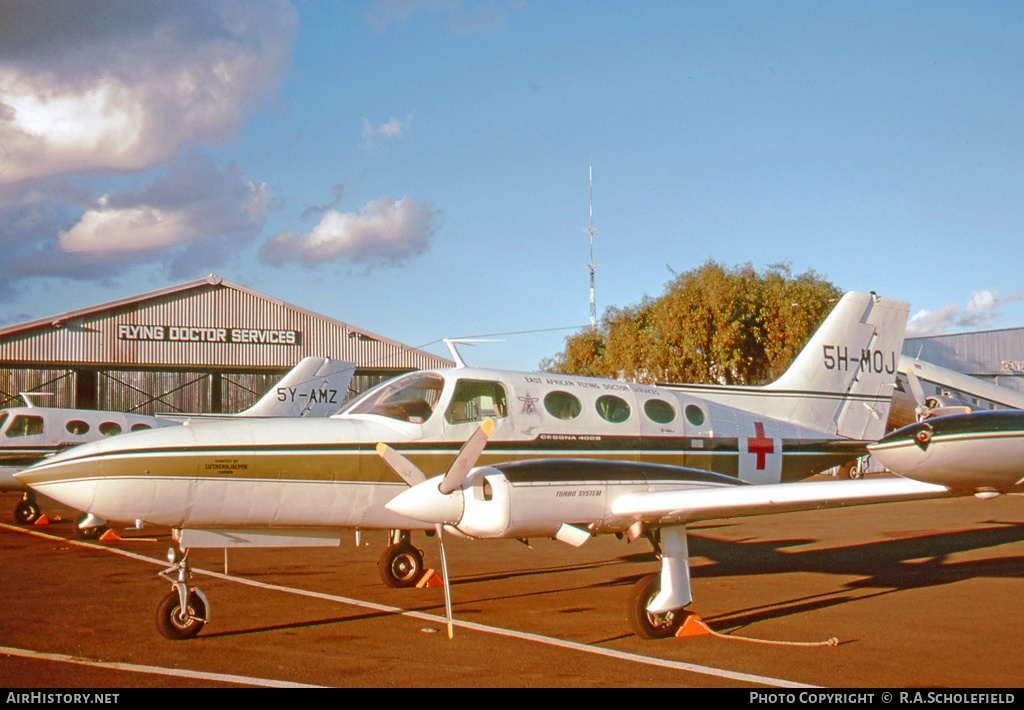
(420,170)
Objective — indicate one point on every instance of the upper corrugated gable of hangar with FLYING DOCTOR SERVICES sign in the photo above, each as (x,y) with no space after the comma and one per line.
(206,323)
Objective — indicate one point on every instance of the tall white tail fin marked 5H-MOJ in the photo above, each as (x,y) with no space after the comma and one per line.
(844,379)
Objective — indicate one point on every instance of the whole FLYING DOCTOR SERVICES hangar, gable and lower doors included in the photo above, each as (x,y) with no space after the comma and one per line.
(206,346)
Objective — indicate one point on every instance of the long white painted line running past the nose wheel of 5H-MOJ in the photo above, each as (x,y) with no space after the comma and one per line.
(522,636)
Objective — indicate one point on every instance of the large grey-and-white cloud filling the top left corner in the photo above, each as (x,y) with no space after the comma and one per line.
(76,97)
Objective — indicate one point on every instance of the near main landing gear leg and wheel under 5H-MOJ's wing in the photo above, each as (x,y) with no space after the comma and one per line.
(656,607)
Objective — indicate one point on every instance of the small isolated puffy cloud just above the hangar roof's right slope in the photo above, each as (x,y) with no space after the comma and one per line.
(385,232)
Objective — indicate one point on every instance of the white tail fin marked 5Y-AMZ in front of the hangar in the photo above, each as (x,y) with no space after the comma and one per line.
(315,388)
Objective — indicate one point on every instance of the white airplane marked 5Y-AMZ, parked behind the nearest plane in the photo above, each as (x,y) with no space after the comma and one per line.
(315,388)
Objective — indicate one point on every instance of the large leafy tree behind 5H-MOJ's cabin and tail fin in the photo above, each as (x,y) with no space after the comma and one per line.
(712,325)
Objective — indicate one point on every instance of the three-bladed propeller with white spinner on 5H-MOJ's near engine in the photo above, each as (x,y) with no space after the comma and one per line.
(439,506)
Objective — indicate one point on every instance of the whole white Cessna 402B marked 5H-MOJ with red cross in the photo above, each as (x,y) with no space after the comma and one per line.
(544,455)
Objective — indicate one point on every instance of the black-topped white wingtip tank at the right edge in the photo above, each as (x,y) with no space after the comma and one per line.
(979,451)
